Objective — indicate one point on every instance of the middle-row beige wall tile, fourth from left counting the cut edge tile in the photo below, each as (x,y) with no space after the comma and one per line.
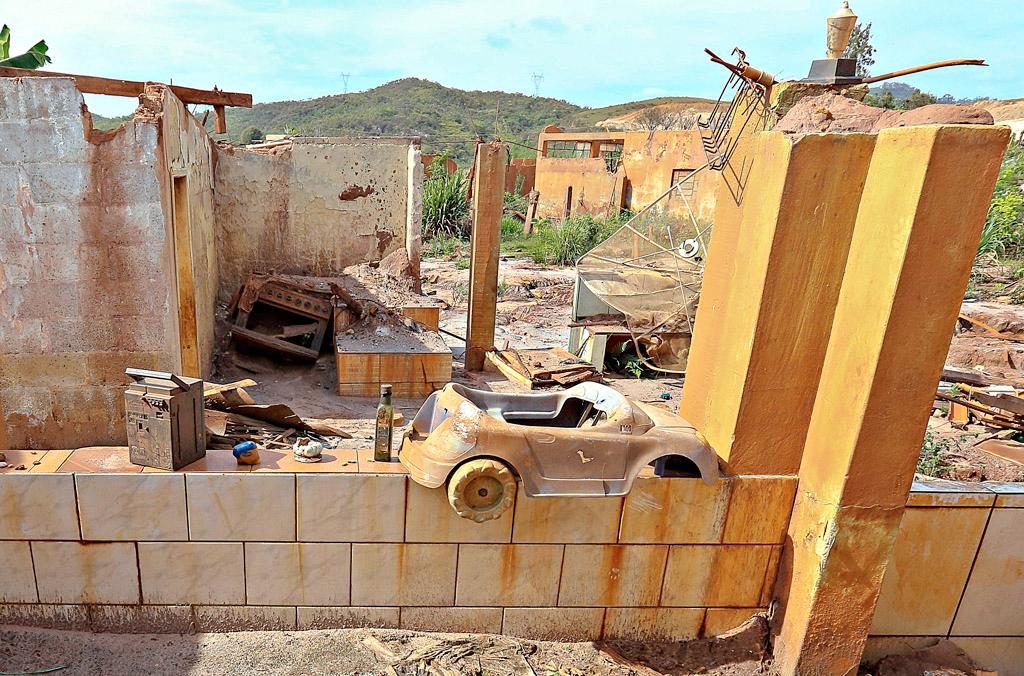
(292,574)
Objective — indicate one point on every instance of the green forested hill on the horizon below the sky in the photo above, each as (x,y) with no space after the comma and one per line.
(444,118)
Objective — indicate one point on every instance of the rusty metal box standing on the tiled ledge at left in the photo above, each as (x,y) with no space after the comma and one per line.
(164,416)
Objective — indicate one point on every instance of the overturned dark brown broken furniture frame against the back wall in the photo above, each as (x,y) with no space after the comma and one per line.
(282,317)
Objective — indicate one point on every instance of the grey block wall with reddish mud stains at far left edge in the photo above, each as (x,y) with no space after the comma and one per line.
(86,268)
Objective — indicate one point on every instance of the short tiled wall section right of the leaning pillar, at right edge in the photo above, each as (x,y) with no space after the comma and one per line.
(957,572)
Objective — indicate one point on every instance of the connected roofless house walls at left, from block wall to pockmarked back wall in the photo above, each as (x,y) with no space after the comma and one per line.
(116,247)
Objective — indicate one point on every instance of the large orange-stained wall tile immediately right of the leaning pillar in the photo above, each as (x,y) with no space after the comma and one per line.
(933,544)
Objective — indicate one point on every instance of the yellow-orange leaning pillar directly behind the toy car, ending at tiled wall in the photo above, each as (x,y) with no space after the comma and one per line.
(765,314)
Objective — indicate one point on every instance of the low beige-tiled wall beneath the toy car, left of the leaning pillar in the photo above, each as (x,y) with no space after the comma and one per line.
(216,552)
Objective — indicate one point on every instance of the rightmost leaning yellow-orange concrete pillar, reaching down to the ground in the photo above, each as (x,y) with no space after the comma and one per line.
(925,199)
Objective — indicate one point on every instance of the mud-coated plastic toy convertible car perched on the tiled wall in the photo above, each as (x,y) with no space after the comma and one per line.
(586,441)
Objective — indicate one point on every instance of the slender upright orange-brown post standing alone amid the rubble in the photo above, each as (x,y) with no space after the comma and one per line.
(489,194)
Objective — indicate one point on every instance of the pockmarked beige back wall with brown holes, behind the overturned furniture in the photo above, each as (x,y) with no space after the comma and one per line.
(316,208)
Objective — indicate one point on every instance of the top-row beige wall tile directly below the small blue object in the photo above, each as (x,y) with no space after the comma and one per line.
(242,506)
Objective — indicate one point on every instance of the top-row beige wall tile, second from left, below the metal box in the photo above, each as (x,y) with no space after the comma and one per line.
(133,506)
